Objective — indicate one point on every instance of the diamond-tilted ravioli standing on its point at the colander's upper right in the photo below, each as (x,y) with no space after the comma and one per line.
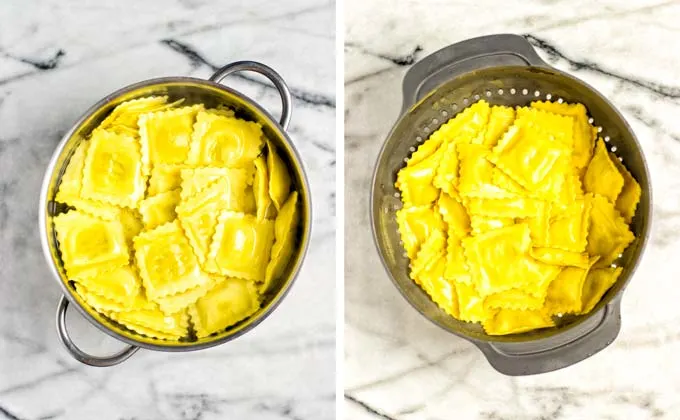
(602,177)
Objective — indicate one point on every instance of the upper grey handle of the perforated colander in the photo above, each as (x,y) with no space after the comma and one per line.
(462,57)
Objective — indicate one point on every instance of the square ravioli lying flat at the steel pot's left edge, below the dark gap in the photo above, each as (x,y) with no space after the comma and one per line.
(90,245)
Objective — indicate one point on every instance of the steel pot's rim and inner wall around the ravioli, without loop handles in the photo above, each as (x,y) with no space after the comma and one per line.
(193,91)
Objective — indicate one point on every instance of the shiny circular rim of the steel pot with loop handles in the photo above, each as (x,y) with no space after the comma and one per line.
(43,214)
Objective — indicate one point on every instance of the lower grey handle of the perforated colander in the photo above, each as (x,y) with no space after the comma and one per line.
(557,352)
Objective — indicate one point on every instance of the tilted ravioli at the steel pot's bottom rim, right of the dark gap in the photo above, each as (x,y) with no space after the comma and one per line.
(231,301)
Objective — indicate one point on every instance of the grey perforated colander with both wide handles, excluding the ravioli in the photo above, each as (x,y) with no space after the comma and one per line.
(503,70)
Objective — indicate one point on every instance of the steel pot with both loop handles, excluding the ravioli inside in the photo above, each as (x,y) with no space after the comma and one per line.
(192,90)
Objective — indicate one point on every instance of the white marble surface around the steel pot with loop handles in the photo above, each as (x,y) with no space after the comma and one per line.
(59,57)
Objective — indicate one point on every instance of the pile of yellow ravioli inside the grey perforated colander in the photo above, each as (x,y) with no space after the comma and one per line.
(515,217)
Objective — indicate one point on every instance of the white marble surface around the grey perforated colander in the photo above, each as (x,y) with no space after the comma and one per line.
(400,366)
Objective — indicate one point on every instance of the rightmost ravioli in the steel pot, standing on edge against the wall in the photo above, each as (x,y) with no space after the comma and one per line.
(285,234)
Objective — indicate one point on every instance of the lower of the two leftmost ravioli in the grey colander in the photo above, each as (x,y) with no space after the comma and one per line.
(417,224)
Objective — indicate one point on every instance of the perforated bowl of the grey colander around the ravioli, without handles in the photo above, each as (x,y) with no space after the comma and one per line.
(510,86)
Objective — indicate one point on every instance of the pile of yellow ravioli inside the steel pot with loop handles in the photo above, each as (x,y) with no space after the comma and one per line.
(179,220)
